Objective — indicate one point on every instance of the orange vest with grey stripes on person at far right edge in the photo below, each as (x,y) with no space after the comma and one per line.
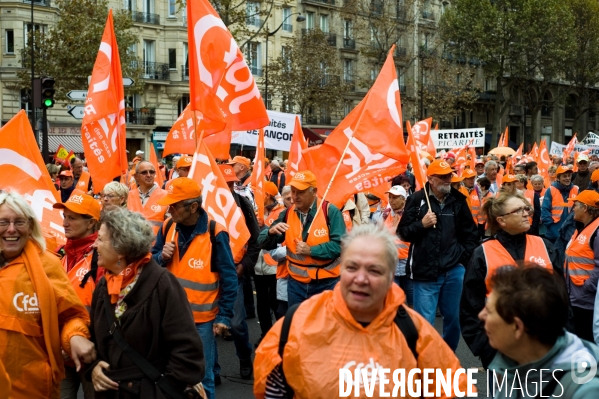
(580,256)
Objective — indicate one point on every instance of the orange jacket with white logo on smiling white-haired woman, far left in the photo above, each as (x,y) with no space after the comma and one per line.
(39,313)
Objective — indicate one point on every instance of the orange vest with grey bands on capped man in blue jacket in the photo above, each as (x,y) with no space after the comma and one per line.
(195,274)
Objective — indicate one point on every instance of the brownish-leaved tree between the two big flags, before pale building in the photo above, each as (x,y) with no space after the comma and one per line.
(307,77)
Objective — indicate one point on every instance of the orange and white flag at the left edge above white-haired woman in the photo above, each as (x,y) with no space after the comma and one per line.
(22,169)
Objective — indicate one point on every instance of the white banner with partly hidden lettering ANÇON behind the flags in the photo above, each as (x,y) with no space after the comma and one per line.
(277,135)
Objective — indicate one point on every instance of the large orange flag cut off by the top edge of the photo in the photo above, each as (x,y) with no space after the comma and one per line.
(222,88)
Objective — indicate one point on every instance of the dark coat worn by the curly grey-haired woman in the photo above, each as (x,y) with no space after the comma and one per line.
(158,324)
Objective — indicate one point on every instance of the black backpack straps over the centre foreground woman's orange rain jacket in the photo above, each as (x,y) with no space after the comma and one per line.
(402,319)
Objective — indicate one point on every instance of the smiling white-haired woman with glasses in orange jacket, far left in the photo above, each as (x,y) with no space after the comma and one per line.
(40,313)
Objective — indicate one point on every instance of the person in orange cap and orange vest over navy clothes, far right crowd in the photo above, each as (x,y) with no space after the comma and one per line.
(555,208)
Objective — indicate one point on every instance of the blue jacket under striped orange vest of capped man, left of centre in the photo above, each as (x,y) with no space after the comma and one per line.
(222,258)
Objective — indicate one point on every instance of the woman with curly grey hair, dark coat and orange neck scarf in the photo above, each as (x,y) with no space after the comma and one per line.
(140,311)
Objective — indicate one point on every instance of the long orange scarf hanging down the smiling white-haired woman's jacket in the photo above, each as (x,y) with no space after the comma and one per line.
(48,308)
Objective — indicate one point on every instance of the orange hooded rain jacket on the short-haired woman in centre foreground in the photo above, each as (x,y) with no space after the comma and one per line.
(324,338)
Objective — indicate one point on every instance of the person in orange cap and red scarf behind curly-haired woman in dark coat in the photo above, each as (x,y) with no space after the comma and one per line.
(80,261)
